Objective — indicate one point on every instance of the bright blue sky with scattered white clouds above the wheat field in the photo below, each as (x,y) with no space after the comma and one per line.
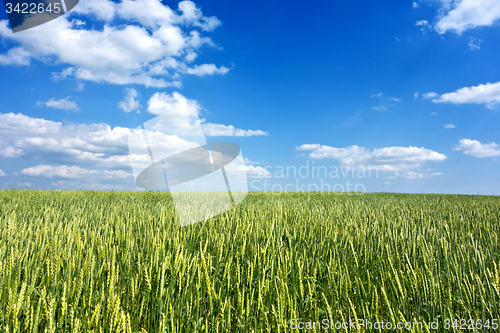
(315,93)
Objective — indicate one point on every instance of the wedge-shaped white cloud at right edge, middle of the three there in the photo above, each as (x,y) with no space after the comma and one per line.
(488,94)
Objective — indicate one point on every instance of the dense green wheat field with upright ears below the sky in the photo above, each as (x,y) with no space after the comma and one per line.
(114,261)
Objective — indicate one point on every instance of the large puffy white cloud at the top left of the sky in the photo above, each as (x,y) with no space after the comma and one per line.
(153,53)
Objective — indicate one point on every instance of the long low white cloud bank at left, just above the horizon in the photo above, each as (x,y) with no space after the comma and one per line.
(95,155)
